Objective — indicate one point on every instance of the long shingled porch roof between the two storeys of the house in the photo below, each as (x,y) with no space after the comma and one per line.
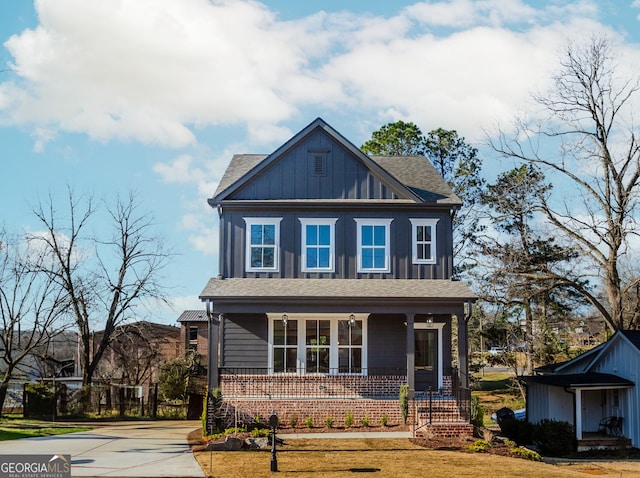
(336,293)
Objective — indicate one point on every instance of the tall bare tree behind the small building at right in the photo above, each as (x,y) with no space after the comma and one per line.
(589,146)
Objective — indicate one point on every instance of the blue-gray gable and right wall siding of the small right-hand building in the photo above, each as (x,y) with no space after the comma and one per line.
(623,359)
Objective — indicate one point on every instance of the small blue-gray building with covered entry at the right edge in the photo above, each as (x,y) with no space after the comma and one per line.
(591,389)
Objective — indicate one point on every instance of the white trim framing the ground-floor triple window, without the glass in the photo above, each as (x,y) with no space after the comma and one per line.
(333,349)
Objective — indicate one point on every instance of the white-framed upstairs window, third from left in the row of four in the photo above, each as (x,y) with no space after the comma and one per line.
(373,245)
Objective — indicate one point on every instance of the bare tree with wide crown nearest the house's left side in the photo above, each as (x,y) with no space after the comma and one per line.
(108,277)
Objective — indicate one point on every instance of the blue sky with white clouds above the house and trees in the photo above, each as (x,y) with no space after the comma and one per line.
(156,96)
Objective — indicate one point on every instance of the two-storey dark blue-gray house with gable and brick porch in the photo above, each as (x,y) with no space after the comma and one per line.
(335,283)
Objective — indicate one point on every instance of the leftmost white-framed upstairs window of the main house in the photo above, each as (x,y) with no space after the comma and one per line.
(263,244)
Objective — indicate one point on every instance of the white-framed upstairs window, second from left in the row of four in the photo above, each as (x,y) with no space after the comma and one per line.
(318,244)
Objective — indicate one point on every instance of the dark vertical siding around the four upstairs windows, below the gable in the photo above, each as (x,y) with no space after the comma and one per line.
(233,235)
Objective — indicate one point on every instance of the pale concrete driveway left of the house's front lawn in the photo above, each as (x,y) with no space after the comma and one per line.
(124,449)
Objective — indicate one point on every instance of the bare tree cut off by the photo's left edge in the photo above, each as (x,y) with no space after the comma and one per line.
(32,307)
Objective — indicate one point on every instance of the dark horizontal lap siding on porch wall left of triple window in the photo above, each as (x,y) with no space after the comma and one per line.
(245,341)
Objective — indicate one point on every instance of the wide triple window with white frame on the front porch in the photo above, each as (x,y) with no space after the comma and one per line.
(318,345)
